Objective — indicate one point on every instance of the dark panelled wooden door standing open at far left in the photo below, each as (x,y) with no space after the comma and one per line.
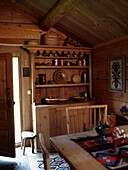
(7,139)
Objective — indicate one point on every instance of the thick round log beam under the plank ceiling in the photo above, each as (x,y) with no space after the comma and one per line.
(56,13)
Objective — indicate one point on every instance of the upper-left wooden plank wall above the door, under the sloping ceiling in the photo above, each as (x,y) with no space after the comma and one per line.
(15,27)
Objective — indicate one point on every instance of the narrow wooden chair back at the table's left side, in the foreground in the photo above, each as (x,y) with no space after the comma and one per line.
(45,152)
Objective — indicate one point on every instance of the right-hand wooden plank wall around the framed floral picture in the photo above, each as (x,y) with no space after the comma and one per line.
(101,55)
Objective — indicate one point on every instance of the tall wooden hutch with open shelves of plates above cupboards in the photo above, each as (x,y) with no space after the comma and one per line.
(51,119)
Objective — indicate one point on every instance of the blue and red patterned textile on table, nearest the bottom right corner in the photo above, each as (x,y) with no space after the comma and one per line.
(112,159)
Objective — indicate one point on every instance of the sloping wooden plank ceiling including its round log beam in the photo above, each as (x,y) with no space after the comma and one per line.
(90,22)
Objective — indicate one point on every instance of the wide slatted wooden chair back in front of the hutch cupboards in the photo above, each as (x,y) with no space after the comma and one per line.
(82,118)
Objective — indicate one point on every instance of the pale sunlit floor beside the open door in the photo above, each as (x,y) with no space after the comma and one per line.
(27,161)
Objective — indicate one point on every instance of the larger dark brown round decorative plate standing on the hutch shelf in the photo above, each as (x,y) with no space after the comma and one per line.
(60,77)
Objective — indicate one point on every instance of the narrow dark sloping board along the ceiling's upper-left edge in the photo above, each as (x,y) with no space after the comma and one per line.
(12,6)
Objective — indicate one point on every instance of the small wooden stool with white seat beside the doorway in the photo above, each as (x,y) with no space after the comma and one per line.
(27,135)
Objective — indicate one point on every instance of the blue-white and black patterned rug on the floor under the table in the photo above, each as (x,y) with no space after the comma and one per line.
(56,163)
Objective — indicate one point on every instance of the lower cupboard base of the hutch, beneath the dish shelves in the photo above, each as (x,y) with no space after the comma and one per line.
(51,121)
